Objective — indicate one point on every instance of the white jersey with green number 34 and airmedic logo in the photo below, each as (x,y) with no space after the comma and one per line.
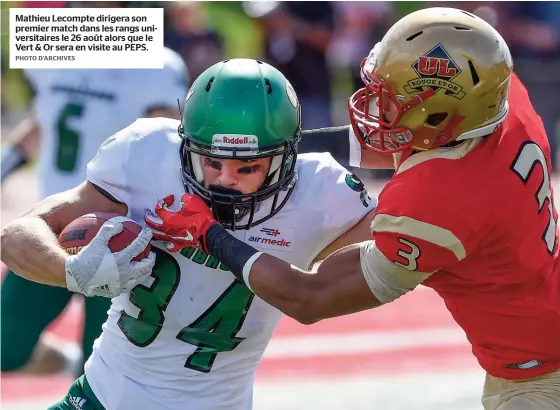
(191,336)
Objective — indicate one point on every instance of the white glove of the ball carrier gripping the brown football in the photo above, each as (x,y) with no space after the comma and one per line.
(97,271)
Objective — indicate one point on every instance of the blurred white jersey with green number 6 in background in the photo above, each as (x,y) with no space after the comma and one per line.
(79,109)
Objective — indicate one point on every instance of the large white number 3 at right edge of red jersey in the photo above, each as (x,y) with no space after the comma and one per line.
(529,156)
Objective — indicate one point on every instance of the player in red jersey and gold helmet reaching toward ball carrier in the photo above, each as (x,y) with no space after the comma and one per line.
(469,211)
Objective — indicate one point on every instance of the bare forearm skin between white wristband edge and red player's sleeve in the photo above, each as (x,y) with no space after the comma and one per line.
(337,288)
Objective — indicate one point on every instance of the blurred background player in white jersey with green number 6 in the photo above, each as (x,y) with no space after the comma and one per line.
(74,112)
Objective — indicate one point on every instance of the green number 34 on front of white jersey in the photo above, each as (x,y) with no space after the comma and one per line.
(213,332)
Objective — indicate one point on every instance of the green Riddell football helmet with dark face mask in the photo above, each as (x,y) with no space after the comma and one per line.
(241,109)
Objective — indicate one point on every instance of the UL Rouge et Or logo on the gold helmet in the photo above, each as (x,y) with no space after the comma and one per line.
(436,70)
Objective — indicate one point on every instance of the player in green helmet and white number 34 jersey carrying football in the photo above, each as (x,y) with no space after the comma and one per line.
(190,336)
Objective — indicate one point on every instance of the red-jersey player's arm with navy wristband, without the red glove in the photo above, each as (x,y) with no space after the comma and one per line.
(342,284)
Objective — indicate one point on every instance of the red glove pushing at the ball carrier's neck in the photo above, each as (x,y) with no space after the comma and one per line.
(185,228)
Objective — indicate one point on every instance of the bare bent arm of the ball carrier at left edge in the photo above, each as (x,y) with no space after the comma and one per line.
(30,243)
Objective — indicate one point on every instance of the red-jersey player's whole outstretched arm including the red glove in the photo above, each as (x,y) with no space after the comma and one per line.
(354,278)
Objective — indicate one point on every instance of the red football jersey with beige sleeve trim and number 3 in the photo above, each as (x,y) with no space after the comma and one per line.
(481,216)
